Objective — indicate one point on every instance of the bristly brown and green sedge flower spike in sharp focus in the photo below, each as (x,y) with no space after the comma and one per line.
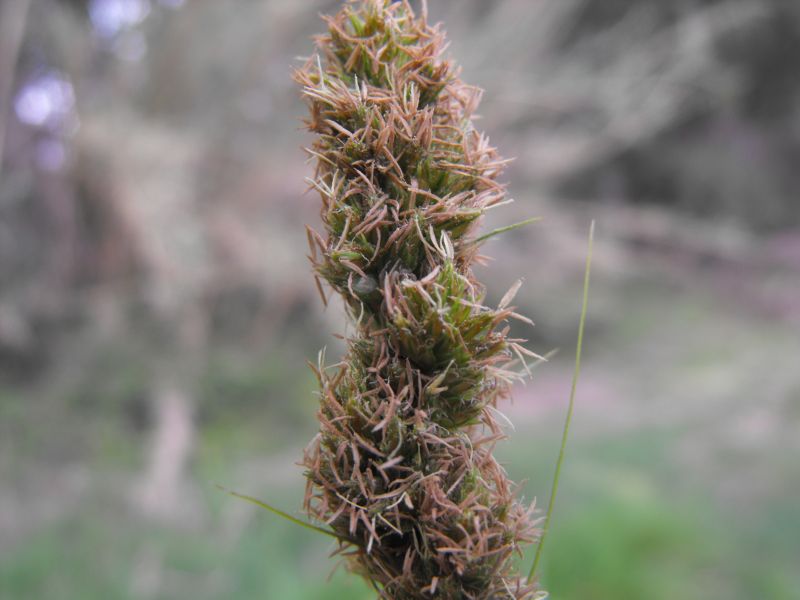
(402,470)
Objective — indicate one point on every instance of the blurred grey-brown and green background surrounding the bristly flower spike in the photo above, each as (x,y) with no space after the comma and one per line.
(157,308)
